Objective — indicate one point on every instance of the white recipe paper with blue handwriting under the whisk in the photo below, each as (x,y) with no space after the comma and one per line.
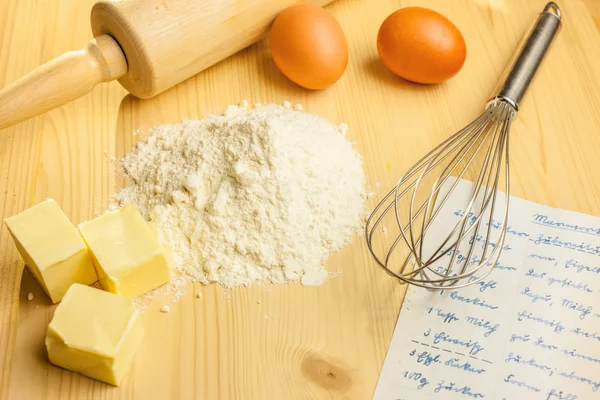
(529,330)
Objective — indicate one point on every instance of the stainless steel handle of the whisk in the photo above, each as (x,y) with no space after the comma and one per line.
(527,59)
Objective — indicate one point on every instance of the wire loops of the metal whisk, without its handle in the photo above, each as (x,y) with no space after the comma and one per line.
(455,155)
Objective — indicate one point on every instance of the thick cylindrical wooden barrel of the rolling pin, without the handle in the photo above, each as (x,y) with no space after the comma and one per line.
(168,41)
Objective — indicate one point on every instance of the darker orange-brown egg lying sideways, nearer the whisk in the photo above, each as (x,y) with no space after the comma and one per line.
(421,45)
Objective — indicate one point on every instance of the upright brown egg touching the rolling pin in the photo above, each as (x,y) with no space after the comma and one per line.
(309,46)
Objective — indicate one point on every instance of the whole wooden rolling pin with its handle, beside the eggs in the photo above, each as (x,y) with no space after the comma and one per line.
(148,45)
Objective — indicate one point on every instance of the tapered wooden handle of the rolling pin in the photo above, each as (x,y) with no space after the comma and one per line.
(62,80)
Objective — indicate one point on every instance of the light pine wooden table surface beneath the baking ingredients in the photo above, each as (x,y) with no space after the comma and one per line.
(287,342)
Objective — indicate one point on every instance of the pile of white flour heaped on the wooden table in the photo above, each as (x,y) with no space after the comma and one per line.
(250,196)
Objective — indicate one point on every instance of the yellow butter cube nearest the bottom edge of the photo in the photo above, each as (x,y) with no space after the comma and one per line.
(95,333)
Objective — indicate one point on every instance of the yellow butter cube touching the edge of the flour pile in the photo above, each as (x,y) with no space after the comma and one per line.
(126,253)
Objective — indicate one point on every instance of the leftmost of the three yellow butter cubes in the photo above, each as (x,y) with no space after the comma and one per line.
(52,248)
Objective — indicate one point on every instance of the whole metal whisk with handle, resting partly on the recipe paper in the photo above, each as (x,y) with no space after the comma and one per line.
(444,253)
